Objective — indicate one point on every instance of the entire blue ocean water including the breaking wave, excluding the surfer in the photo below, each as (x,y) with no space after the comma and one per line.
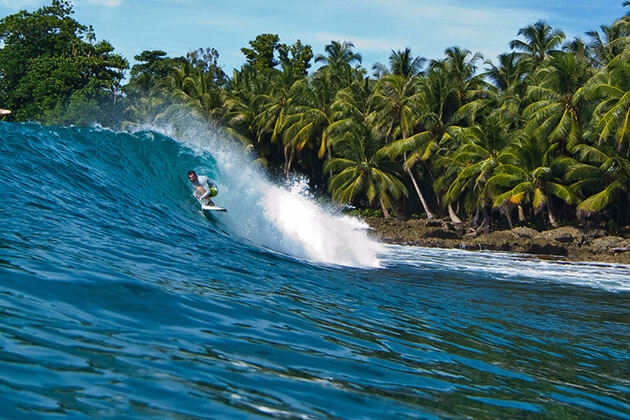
(119,299)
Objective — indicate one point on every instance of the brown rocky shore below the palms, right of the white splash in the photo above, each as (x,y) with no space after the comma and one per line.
(566,243)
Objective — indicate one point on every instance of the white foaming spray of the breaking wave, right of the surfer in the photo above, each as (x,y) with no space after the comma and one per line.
(283,219)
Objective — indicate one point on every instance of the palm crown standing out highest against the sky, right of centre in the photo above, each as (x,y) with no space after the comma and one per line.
(540,42)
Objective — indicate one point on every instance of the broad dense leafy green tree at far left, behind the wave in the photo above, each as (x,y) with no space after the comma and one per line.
(48,61)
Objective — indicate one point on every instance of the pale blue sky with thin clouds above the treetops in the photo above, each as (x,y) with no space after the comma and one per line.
(375,27)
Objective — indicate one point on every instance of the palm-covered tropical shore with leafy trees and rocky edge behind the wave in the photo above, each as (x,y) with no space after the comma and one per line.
(529,153)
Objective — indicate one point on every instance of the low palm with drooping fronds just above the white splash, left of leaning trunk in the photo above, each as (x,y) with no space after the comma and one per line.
(361,172)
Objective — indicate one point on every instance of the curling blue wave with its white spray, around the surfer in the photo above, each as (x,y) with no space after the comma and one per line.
(120,175)
